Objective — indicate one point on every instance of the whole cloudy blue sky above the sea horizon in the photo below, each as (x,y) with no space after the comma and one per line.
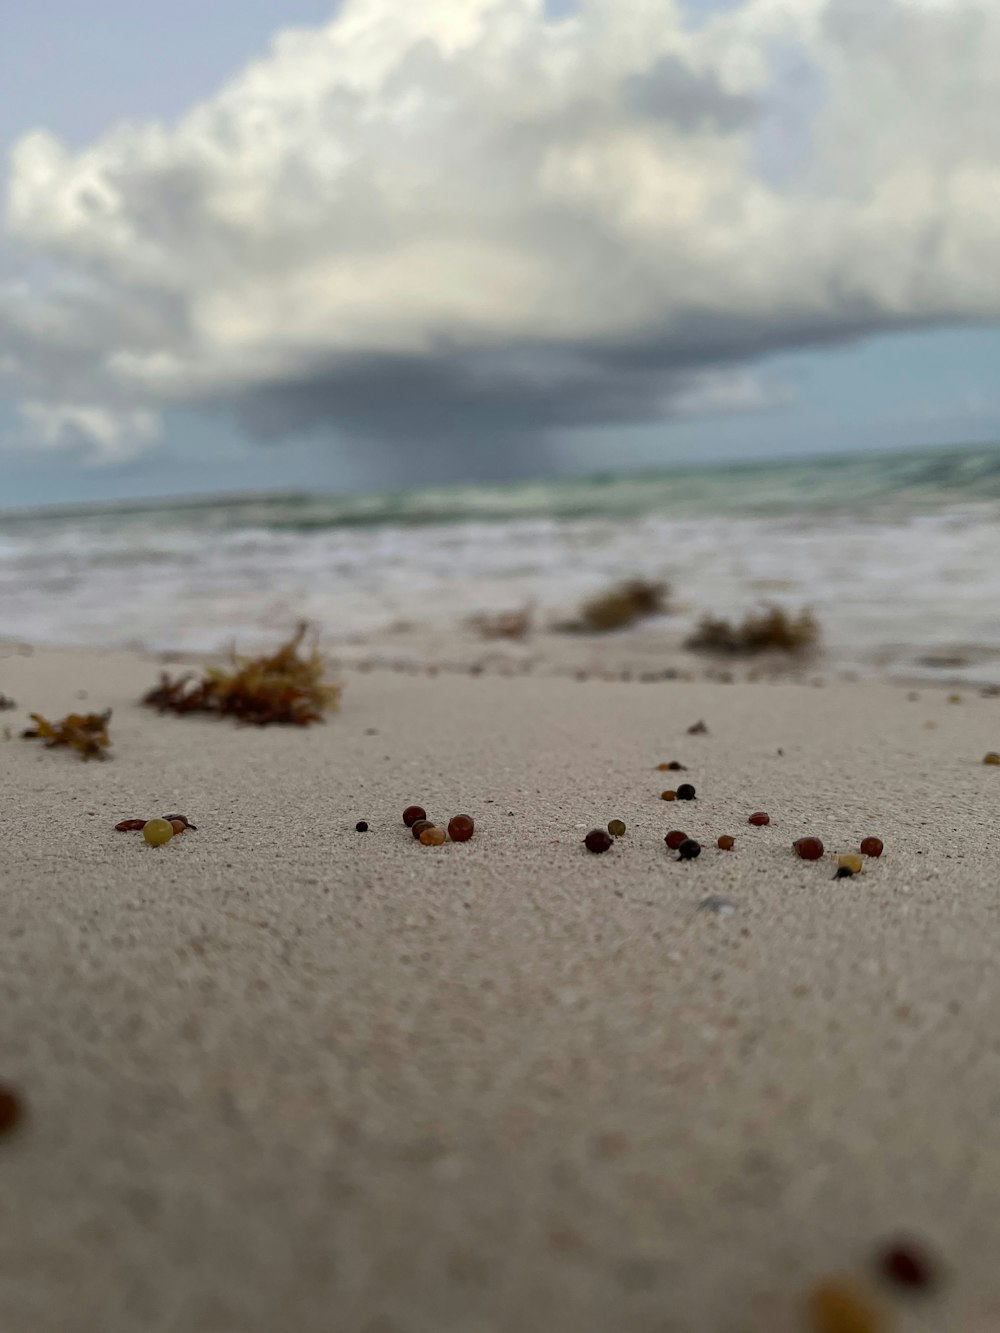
(283,245)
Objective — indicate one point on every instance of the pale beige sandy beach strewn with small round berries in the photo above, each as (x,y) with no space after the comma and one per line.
(286,1076)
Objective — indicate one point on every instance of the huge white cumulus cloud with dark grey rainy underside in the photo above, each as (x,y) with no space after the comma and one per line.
(462,225)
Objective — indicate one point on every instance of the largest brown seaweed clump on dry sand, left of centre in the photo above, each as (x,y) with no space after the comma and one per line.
(287,687)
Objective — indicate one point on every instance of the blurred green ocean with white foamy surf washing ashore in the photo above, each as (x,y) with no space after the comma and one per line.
(898,555)
